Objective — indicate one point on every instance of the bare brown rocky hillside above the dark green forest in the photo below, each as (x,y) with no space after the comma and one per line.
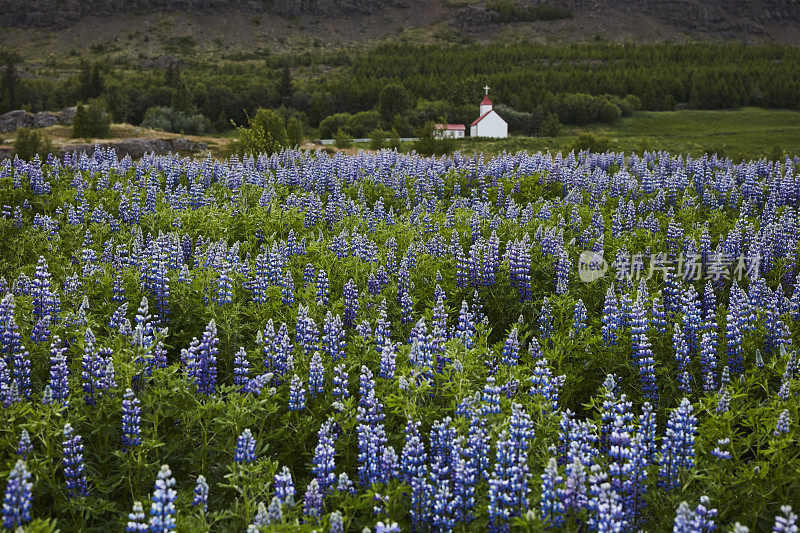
(775,20)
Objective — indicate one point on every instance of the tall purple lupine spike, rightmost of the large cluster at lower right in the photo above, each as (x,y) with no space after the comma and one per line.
(677,448)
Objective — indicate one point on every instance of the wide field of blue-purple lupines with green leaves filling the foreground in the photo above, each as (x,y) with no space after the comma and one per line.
(386,341)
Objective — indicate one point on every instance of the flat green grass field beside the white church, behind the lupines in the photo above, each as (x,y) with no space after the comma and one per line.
(743,133)
